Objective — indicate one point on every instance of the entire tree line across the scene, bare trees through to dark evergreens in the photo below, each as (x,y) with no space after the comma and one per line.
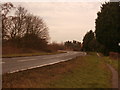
(25,30)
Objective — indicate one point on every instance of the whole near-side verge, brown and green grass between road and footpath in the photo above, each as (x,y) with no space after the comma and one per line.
(82,72)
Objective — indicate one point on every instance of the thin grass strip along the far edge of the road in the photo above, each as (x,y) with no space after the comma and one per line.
(29,54)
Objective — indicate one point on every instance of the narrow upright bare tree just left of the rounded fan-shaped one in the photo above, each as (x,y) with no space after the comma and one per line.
(18,23)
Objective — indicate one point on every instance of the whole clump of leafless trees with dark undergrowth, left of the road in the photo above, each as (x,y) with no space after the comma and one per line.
(22,29)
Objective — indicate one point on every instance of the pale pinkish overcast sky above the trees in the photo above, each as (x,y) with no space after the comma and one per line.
(66,20)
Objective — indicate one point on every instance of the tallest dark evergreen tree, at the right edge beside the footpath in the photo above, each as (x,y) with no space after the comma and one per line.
(108,26)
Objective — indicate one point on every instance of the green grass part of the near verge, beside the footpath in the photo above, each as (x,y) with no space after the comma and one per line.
(92,74)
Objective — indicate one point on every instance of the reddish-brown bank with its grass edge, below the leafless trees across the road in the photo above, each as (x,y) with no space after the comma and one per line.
(10,51)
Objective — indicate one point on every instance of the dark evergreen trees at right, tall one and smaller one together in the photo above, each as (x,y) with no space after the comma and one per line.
(106,37)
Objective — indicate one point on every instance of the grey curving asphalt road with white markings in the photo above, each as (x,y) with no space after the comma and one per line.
(11,65)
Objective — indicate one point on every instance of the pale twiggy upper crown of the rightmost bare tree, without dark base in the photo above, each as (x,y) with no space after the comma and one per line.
(36,25)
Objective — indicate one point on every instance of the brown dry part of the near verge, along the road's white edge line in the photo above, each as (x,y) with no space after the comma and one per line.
(38,77)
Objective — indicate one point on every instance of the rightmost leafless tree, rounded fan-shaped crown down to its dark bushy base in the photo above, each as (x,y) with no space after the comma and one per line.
(36,33)
